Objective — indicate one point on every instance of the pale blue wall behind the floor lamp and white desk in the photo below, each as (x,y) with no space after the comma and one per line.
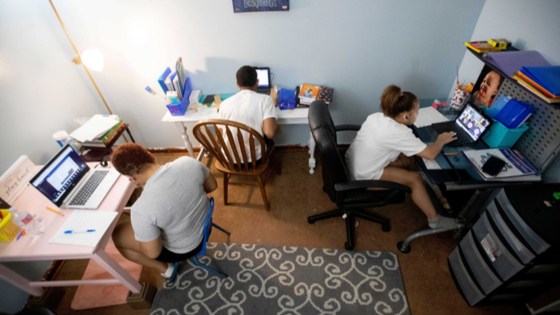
(357,47)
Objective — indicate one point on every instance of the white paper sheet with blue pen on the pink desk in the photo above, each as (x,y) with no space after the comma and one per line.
(83,220)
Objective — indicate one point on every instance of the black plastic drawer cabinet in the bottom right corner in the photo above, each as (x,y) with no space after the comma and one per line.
(511,254)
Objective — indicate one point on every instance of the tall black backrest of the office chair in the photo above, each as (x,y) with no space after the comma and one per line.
(324,133)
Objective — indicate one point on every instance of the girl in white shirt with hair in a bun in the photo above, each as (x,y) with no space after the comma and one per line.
(374,153)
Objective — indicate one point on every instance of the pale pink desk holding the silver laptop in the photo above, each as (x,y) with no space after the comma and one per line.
(30,248)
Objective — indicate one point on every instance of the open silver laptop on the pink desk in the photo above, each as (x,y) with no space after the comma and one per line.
(68,182)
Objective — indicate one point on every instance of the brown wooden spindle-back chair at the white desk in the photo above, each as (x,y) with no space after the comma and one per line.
(233,159)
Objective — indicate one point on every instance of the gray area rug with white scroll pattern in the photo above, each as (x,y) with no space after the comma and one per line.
(286,280)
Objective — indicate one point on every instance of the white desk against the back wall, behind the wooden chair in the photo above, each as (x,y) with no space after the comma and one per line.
(285,117)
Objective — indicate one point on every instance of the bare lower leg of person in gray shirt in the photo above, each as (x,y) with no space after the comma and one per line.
(129,247)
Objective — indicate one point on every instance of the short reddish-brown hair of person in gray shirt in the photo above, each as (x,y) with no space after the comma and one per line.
(131,159)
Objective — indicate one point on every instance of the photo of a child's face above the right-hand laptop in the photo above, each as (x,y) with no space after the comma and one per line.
(486,88)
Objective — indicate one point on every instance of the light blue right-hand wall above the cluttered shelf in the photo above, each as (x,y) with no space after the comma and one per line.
(529,25)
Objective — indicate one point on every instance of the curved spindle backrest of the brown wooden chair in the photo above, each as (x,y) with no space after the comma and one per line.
(236,155)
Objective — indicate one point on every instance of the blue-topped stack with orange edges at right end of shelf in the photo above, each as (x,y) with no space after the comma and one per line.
(544,82)
